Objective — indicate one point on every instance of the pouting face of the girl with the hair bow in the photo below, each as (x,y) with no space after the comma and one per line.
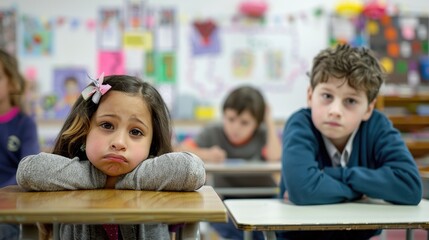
(120,133)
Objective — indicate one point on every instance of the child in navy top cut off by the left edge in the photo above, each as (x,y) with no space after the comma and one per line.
(18,131)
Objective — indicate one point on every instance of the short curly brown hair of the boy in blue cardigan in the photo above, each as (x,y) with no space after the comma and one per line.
(357,66)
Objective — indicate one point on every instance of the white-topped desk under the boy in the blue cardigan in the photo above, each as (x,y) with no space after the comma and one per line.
(269,215)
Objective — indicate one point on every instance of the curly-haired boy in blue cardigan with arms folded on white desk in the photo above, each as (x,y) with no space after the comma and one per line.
(341,149)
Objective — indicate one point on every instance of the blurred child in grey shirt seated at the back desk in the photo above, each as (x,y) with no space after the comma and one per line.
(242,135)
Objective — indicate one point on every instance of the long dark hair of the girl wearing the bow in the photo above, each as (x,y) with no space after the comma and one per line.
(77,125)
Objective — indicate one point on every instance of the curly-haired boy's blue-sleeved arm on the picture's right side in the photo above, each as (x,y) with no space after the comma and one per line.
(395,177)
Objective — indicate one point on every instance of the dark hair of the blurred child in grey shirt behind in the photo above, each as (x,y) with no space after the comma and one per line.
(246,98)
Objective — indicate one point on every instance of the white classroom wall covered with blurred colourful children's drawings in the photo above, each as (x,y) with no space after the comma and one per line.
(194,52)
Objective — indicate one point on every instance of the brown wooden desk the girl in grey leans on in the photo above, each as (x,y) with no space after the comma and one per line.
(112,206)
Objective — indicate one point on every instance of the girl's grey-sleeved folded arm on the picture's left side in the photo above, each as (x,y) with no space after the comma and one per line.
(51,172)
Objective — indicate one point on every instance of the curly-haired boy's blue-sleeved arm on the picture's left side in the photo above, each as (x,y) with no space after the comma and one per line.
(305,182)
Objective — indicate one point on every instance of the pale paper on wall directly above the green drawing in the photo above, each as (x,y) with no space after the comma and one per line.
(165,30)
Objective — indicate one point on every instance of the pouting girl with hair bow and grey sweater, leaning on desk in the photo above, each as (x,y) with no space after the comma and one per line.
(118,135)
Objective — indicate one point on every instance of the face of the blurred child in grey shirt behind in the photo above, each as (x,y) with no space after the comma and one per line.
(238,128)
